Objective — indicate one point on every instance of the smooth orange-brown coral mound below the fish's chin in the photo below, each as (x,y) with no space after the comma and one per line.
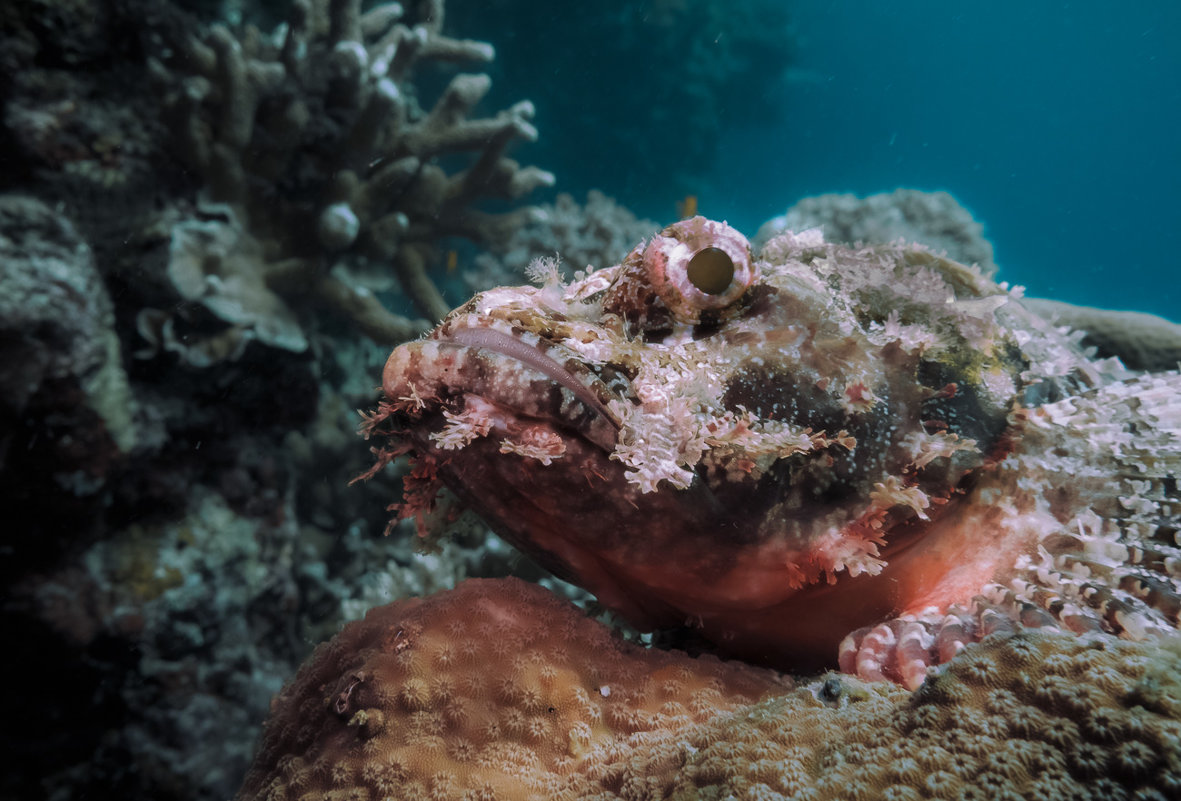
(495,691)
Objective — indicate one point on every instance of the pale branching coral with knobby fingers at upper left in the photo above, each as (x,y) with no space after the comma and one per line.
(316,147)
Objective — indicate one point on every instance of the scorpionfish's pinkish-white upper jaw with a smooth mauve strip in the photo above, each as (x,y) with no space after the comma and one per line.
(498,377)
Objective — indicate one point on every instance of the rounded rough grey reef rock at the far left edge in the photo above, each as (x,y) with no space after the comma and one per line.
(67,412)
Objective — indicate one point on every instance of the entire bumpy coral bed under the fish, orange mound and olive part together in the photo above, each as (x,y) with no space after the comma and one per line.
(498,691)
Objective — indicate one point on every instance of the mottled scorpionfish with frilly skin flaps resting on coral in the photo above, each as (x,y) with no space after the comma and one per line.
(869,457)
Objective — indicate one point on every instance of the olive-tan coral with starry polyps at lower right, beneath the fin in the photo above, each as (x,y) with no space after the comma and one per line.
(1019,717)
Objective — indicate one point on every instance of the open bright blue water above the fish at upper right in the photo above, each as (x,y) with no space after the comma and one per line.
(1058,125)
